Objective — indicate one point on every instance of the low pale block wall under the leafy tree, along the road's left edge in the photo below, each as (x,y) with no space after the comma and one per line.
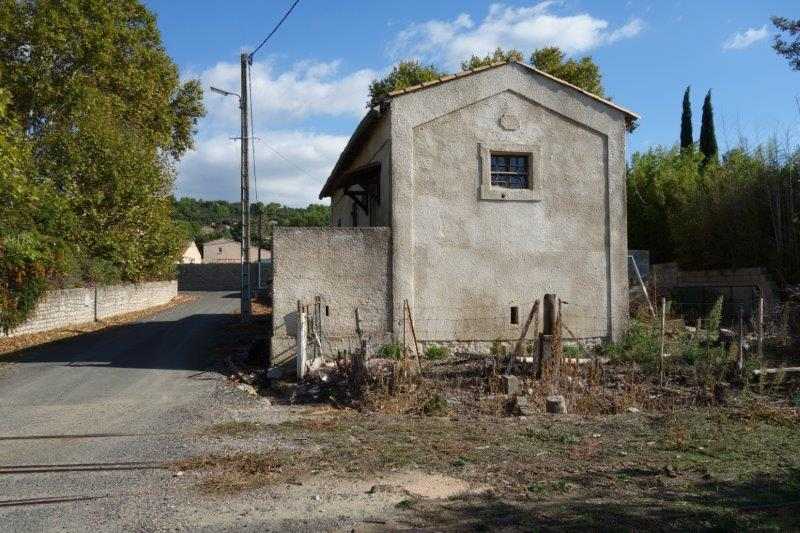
(72,307)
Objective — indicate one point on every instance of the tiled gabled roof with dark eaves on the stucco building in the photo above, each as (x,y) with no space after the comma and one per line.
(371,118)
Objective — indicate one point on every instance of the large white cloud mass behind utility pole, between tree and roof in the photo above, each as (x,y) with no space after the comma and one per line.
(287,105)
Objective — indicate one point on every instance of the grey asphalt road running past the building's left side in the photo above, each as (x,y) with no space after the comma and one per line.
(95,415)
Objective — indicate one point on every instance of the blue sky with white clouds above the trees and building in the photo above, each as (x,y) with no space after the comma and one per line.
(310,81)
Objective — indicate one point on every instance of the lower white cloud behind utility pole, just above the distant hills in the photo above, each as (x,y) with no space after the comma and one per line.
(294,177)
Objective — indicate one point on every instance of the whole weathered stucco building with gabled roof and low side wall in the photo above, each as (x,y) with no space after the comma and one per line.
(468,197)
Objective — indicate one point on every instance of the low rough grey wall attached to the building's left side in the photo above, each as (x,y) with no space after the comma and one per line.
(347,268)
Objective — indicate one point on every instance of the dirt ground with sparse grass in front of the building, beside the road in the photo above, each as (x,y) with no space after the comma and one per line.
(663,459)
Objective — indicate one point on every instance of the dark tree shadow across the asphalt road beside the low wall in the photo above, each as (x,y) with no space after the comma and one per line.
(183,344)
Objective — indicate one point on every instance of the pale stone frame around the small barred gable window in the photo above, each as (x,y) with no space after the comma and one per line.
(499,193)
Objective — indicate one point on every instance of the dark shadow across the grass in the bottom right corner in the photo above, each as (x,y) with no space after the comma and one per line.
(762,503)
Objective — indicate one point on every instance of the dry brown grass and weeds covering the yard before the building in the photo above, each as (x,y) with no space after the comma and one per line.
(710,448)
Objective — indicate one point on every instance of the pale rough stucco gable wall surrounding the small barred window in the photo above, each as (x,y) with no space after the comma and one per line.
(462,262)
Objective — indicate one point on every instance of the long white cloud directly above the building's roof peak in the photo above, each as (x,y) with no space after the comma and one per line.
(525,28)
